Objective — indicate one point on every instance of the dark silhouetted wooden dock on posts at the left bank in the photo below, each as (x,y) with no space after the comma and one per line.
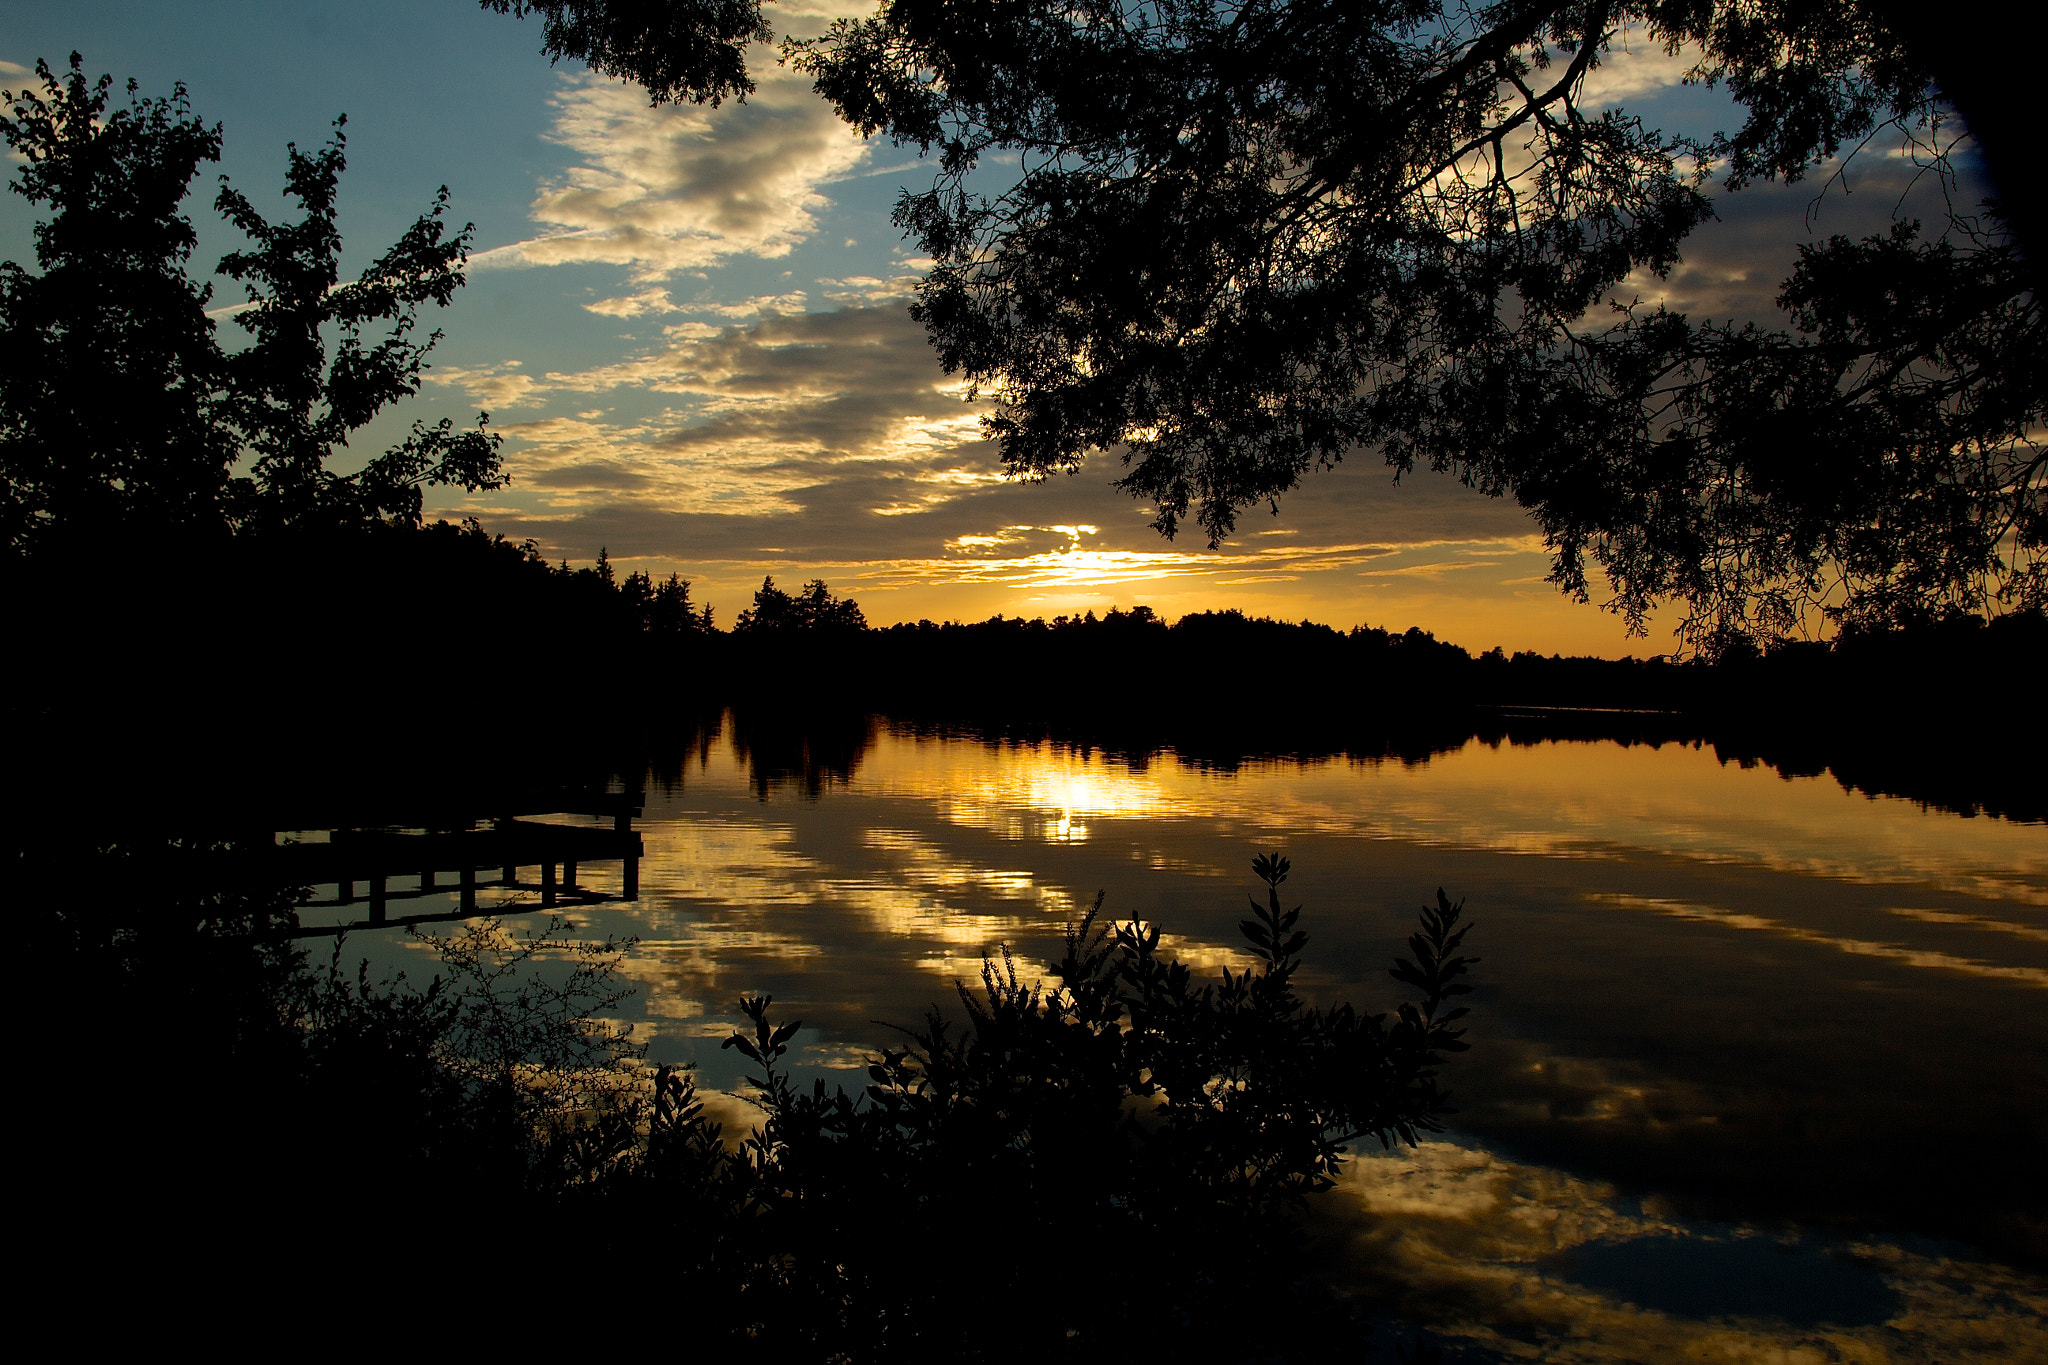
(392,865)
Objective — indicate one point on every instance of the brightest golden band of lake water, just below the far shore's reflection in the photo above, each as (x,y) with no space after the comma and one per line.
(1562,799)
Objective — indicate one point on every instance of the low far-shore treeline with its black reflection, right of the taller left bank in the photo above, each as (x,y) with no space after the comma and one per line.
(1879,711)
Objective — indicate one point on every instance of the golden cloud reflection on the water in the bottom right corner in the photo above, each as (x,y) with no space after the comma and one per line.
(1533,1264)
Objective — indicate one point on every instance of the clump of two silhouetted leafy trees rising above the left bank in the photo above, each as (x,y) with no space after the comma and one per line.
(118,400)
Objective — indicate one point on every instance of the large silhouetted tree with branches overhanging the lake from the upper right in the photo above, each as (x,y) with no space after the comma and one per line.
(1252,238)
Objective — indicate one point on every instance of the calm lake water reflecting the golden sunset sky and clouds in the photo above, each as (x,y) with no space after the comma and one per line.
(1760,1067)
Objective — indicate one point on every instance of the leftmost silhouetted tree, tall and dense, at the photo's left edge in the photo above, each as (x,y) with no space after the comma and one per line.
(108,361)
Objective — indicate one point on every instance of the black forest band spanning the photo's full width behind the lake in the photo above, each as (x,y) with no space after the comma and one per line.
(333,654)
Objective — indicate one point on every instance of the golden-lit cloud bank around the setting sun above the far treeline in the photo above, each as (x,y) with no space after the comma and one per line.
(835,443)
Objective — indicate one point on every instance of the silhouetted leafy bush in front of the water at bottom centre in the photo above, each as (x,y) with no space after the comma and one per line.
(1252,1094)
